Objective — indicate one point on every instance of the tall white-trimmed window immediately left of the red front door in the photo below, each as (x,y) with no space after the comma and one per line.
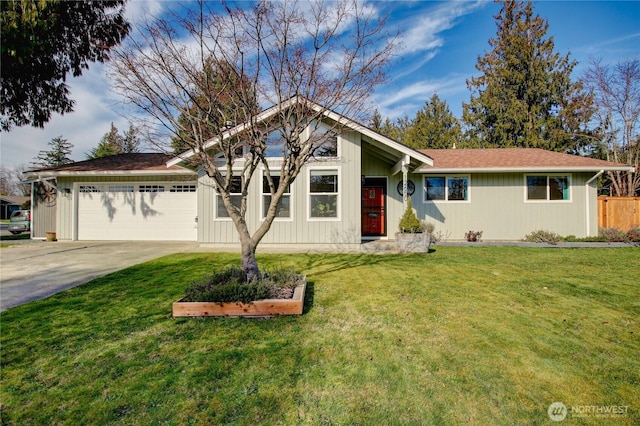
(323,193)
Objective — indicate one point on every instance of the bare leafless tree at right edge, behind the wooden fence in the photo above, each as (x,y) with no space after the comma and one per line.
(616,92)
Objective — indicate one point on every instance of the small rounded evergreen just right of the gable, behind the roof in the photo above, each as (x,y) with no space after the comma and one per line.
(434,127)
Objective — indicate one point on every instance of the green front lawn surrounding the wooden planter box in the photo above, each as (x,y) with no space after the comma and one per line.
(480,335)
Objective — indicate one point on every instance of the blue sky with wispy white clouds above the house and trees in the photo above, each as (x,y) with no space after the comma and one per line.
(441,43)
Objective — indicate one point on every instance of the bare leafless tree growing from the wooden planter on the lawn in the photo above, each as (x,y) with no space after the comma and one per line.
(282,53)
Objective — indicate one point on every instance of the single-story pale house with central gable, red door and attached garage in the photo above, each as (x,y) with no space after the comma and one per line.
(506,193)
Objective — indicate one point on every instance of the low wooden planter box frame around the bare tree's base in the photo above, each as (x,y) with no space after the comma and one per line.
(257,308)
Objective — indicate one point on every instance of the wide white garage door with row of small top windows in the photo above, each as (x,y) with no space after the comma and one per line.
(133,211)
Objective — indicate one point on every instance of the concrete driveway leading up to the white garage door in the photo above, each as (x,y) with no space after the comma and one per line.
(35,270)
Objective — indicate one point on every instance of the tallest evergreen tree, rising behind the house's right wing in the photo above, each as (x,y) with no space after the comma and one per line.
(524,96)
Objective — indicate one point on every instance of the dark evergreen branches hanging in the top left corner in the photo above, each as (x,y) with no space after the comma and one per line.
(43,43)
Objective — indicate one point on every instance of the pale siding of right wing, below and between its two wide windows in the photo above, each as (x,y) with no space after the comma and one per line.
(497,207)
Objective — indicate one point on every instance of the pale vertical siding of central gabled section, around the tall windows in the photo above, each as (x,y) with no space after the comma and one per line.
(297,230)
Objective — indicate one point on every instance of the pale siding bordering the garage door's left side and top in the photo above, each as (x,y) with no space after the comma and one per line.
(66,225)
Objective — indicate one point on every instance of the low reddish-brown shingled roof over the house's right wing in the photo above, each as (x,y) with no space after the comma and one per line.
(512,159)
